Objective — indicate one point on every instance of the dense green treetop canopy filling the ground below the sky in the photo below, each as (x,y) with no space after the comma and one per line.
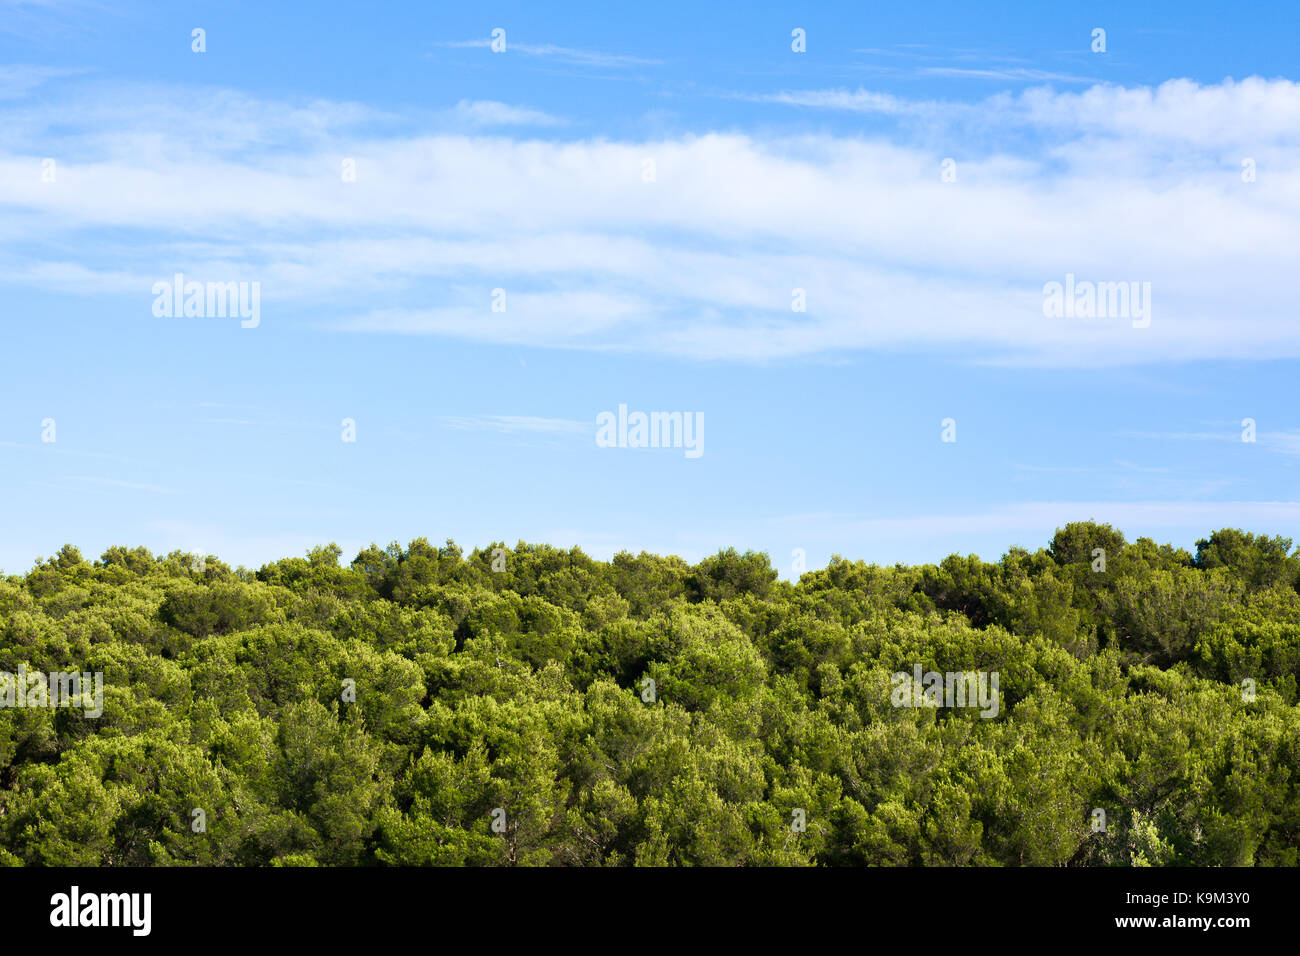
(523,690)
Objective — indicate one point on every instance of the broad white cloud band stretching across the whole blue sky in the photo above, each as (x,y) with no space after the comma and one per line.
(1115,185)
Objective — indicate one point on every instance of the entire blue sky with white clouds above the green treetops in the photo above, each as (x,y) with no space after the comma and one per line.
(526,171)
